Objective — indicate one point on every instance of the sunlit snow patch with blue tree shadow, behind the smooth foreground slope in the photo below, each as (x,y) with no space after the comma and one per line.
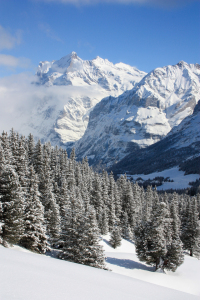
(124,261)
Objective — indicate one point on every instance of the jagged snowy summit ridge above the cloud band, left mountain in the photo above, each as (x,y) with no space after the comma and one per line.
(72,70)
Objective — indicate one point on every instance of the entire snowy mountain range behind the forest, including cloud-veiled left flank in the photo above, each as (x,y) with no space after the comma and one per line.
(111,113)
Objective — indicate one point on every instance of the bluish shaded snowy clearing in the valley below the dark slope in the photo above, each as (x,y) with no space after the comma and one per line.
(180,181)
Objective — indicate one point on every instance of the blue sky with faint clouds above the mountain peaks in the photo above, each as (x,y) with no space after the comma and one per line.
(142,33)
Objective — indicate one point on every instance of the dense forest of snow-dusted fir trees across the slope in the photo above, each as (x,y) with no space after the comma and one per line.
(49,200)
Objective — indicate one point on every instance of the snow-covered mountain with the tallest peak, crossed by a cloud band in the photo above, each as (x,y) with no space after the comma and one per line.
(85,84)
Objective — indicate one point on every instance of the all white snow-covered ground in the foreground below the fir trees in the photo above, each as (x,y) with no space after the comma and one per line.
(27,276)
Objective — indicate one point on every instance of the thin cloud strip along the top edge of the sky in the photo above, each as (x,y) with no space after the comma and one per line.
(163,3)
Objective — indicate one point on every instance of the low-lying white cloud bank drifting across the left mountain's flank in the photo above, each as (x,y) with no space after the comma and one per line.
(23,105)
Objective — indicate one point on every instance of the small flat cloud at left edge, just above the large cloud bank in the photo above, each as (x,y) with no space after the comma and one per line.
(14,62)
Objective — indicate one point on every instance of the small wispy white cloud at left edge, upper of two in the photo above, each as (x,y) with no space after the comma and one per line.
(7,40)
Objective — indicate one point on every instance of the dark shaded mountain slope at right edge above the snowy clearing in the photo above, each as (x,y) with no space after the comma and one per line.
(181,147)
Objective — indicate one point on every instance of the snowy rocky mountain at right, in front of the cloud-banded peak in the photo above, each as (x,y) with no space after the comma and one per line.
(142,116)
